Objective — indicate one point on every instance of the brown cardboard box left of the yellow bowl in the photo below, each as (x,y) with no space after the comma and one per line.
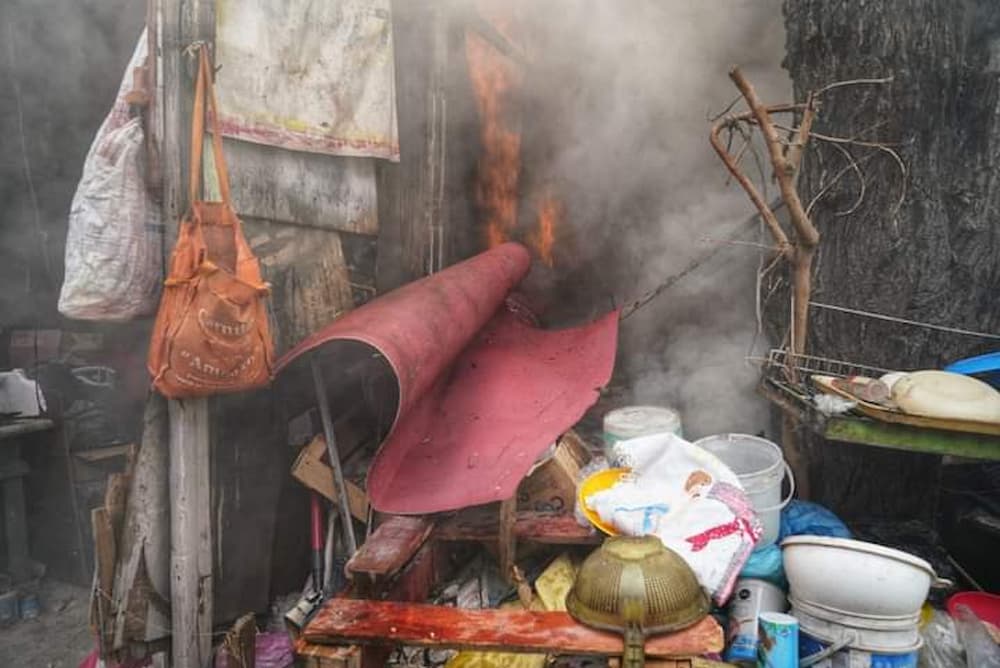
(551,485)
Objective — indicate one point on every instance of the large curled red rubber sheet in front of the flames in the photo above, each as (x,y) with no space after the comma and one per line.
(482,390)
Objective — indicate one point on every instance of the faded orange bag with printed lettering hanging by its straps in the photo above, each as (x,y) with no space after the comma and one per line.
(211,333)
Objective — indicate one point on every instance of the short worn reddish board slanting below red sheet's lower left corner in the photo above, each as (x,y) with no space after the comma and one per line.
(391,546)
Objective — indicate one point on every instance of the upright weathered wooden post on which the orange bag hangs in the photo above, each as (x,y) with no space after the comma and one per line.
(181,23)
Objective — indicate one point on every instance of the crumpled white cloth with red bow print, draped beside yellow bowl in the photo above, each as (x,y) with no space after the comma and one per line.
(687,498)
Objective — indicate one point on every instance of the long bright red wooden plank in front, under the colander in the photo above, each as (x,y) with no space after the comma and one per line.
(342,621)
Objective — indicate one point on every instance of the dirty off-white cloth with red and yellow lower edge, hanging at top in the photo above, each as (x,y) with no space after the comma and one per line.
(308,76)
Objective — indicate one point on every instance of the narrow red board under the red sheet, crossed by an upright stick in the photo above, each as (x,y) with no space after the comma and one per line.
(529,526)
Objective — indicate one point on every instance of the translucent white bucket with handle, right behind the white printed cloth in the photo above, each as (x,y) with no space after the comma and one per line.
(760,466)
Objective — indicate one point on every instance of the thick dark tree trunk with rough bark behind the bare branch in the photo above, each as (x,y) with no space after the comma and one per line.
(924,247)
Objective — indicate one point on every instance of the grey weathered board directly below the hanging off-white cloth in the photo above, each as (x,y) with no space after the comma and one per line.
(303,189)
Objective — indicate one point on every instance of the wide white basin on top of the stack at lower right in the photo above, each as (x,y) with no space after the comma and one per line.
(855,577)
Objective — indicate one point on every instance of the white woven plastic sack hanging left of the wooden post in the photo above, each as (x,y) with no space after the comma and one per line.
(114,254)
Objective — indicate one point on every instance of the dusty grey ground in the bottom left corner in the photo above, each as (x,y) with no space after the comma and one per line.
(58,638)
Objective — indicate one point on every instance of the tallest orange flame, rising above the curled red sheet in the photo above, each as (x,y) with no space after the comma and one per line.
(495,79)
